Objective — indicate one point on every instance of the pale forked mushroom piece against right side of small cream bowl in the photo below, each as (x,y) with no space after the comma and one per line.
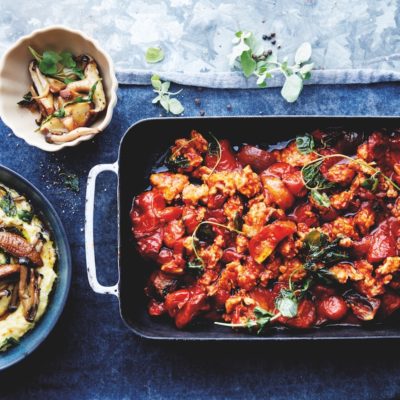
(92,77)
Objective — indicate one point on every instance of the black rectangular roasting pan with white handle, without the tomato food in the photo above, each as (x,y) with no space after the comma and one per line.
(143,147)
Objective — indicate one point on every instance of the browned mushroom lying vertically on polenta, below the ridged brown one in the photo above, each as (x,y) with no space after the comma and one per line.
(29,292)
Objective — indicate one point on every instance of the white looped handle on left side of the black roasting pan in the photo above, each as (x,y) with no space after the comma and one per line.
(89,238)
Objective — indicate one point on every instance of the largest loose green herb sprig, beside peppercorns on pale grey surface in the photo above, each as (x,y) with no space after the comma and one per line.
(249,55)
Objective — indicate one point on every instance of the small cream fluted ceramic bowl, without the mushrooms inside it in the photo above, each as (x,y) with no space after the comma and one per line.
(15,82)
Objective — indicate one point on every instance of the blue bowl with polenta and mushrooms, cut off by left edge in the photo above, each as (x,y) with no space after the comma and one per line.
(35,268)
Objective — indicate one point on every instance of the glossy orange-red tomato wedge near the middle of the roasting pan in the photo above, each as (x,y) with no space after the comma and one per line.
(263,244)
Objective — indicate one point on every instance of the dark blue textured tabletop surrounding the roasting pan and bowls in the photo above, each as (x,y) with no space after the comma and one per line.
(92,355)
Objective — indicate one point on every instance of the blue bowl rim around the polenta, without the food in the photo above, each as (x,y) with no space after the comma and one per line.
(31,340)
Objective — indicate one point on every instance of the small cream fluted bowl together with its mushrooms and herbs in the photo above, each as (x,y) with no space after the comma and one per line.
(57,88)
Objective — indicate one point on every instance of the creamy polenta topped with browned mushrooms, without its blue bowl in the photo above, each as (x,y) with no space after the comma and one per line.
(27,261)
